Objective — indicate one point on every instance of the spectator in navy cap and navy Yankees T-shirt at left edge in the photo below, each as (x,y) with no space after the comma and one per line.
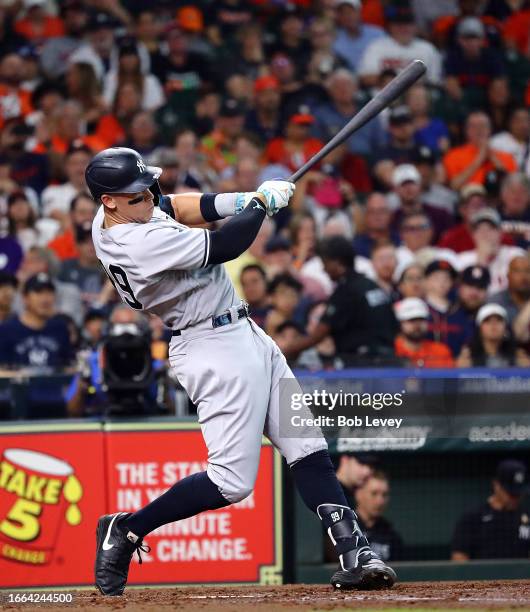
(36,337)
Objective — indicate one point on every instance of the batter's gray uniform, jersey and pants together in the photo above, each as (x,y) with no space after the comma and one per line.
(231,373)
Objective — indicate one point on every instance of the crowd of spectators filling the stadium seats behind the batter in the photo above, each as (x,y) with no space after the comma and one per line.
(406,245)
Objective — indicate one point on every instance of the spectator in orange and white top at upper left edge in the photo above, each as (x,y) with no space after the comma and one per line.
(15,101)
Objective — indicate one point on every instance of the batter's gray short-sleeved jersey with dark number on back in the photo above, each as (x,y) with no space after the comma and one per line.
(160,267)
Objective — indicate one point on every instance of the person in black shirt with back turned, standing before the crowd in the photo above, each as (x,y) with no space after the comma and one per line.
(359,315)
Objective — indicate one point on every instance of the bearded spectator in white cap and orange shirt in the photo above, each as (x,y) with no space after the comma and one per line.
(411,343)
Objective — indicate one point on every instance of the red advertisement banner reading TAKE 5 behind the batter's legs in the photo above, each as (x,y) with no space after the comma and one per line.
(54,486)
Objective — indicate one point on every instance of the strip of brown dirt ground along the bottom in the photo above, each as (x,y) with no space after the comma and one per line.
(419,596)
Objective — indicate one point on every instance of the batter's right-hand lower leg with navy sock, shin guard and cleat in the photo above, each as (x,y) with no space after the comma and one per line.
(360,567)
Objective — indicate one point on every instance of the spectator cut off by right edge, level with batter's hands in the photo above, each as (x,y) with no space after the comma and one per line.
(515,208)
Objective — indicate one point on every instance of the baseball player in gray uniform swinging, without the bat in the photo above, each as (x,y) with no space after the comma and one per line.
(161,264)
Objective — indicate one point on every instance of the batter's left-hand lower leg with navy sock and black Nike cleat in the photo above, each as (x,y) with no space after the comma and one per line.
(119,536)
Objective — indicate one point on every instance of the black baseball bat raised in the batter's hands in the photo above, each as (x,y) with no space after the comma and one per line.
(381,100)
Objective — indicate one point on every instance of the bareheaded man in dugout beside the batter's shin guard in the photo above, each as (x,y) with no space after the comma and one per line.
(372,499)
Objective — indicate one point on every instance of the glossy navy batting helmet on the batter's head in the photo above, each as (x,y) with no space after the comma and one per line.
(121,170)
